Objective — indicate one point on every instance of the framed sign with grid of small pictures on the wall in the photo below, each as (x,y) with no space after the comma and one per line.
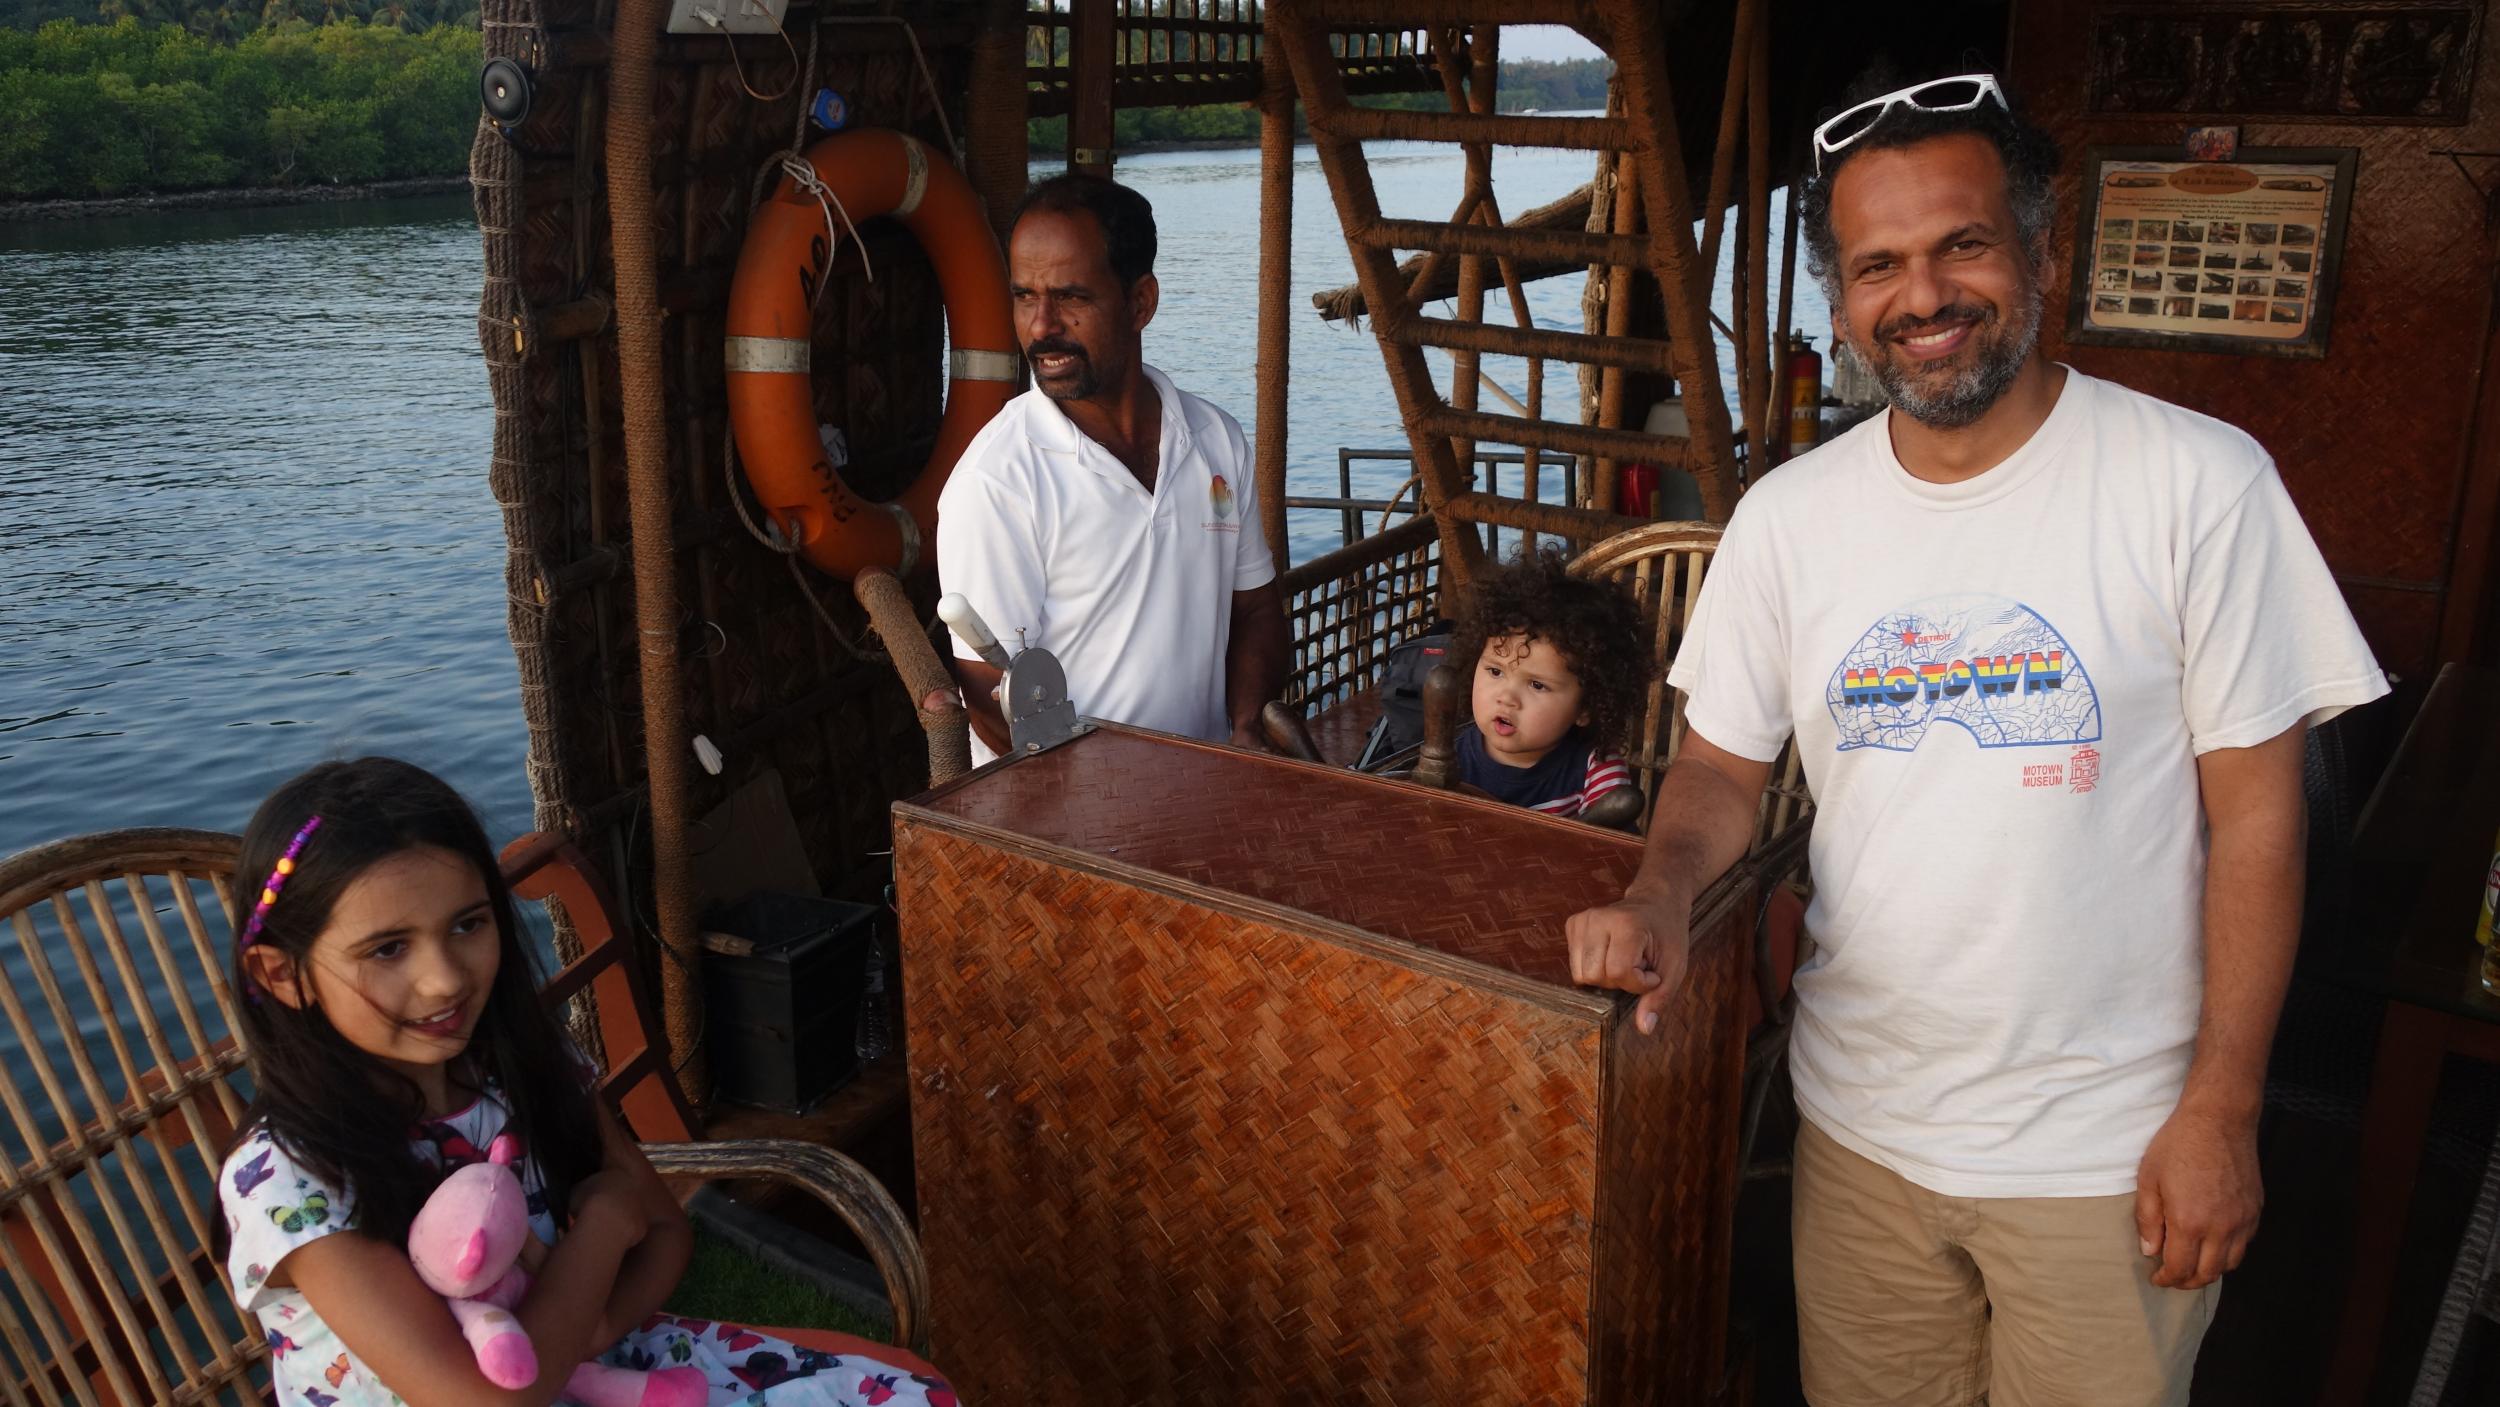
(2211,256)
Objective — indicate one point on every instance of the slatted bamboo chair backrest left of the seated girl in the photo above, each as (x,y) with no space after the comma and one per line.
(116,1071)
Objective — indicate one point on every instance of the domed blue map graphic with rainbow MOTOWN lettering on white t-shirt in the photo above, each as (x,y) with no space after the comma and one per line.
(1984,664)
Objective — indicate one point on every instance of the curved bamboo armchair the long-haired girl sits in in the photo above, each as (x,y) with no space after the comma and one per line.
(121,1091)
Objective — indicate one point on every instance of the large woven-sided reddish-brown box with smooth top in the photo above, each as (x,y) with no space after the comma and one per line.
(1246,1081)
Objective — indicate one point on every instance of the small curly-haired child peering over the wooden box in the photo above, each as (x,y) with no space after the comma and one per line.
(1559,674)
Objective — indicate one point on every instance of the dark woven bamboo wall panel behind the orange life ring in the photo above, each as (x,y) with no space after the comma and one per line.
(761,676)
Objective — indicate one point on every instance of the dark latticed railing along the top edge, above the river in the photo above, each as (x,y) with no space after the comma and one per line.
(1201,51)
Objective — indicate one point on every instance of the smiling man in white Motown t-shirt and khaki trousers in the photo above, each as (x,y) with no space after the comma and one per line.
(2049,651)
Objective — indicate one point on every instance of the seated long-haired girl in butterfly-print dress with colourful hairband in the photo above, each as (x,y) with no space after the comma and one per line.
(396,1033)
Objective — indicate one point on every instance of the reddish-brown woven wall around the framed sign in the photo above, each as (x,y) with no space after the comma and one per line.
(2374,439)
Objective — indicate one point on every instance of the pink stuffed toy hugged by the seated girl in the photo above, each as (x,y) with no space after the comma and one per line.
(466,1246)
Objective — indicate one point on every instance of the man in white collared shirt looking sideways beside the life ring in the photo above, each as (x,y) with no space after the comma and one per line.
(1109,516)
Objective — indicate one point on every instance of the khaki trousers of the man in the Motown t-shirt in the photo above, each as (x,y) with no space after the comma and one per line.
(1909,1298)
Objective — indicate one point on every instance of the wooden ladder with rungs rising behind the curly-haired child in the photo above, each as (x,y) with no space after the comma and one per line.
(1446,429)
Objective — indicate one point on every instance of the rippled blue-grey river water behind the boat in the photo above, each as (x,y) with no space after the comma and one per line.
(244,501)
